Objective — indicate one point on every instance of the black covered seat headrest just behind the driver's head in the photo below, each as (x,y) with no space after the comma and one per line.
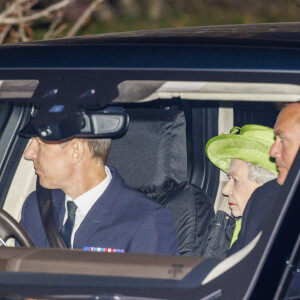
(152,155)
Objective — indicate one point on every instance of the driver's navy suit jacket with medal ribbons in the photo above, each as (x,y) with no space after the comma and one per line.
(122,218)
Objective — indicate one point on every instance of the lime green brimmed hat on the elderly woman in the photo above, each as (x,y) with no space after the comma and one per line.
(250,143)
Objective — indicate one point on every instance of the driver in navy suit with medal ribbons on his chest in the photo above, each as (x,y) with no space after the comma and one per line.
(94,209)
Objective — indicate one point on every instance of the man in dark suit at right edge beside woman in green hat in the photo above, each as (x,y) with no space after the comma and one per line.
(284,150)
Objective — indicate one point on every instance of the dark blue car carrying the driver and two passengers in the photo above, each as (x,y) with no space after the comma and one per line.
(190,83)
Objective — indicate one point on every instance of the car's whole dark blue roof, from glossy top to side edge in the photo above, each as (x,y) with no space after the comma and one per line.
(217,46)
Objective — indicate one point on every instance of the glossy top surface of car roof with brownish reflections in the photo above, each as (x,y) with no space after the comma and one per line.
(272,34)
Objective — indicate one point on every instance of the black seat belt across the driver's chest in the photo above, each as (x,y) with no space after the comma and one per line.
(44,199)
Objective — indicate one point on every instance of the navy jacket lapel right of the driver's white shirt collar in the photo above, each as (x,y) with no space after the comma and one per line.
(97,216)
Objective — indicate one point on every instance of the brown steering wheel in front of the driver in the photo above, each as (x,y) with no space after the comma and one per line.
(10,228)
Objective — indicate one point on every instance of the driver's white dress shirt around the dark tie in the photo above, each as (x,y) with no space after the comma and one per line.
(85,202)
